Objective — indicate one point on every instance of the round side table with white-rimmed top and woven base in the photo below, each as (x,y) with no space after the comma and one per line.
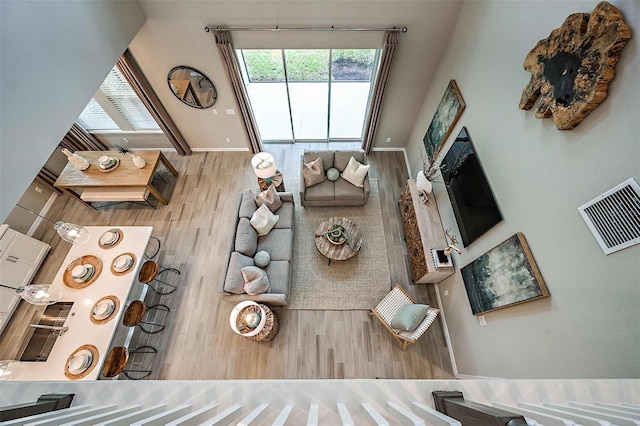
(243,312)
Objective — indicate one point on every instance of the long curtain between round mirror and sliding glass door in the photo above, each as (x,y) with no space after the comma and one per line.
(230,61)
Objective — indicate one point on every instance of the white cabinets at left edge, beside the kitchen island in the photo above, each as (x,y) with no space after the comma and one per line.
(20,258)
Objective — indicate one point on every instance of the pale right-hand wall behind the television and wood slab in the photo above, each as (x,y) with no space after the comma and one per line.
(589,327)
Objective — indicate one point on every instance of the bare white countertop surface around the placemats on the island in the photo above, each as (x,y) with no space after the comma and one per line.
(82,331)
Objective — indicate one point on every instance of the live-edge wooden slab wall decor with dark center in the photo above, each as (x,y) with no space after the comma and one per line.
(572,68)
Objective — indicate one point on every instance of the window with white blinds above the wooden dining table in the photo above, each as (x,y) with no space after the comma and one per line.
(116,107)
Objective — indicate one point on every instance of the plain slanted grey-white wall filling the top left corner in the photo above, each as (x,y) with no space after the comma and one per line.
(55,54)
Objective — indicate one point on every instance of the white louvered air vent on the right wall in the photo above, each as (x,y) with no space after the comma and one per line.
(614,217)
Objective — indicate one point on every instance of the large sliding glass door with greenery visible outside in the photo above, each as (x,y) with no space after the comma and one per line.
(309,95)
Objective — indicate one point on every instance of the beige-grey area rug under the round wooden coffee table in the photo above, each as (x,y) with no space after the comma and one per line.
(357,283)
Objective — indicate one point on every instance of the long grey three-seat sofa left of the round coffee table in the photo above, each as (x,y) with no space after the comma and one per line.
(246,242)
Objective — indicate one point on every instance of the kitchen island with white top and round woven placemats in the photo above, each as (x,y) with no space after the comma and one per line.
(83,330)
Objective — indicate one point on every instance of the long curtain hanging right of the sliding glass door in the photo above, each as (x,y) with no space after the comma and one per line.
(375,107)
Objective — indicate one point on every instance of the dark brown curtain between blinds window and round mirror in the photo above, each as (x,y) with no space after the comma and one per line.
(139,83)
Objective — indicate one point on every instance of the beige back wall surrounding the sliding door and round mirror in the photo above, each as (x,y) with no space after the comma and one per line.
(174,35)
